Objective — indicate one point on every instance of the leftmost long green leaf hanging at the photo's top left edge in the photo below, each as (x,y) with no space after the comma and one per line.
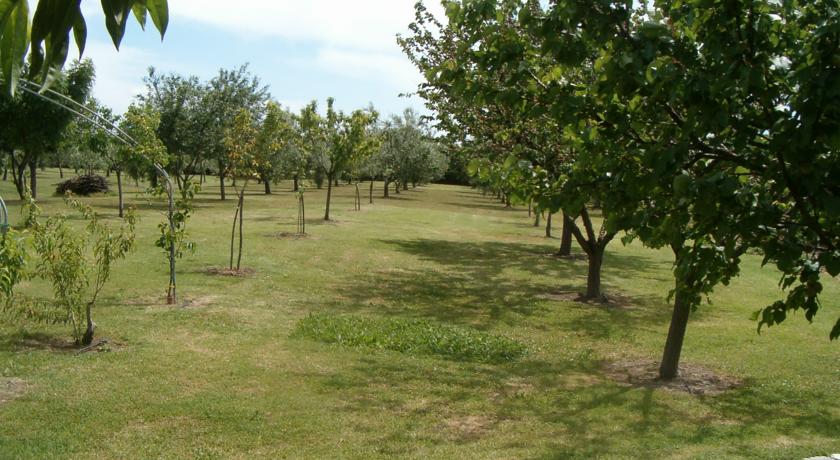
(14,39)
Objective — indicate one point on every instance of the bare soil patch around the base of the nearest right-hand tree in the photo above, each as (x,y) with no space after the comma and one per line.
(692,379)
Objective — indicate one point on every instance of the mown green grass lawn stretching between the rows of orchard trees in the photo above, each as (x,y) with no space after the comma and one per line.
(224,374)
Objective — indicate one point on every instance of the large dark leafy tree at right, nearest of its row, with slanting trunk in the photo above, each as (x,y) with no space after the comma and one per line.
(705,127)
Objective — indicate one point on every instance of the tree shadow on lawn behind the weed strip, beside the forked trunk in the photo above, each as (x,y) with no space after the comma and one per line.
(484,283)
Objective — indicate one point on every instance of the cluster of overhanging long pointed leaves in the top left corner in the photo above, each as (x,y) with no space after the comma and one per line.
(47,36)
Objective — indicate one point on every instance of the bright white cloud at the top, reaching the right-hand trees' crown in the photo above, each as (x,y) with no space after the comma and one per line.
(353,39)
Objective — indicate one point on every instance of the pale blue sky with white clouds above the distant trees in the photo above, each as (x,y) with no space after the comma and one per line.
(301,49)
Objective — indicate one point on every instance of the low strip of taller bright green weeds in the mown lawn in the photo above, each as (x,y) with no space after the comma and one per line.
(414,337)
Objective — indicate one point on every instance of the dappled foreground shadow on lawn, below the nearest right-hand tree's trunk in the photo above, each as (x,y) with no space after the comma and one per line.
(567,405)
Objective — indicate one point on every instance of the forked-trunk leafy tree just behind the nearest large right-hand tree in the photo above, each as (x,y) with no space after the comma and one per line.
(486,81)
